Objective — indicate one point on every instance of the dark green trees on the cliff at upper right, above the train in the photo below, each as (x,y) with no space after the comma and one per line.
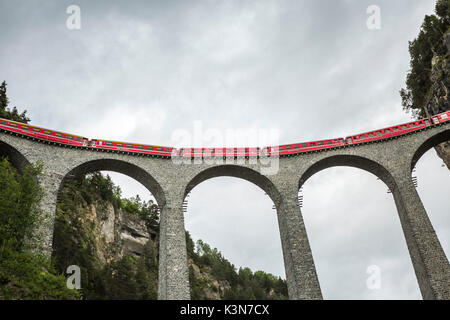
(428,43)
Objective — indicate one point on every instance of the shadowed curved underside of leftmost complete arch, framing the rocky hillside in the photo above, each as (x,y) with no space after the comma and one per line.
(120,166)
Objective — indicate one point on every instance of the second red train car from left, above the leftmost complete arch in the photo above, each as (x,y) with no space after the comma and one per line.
(130,147)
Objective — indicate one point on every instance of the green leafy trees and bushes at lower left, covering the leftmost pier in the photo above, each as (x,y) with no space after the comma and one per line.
(24,274)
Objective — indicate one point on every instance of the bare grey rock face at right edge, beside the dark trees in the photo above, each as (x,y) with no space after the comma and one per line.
(439,100)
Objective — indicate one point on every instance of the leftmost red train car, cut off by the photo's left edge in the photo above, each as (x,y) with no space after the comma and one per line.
(42,133)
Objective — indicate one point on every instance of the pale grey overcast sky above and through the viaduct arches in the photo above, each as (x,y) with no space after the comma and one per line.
(294,71)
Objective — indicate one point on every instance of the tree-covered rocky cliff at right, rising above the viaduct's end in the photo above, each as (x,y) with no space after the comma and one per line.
(428,79)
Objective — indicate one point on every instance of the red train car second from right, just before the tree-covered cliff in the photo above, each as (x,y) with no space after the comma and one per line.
(388,132)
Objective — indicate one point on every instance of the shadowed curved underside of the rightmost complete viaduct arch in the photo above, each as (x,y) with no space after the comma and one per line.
(349,161)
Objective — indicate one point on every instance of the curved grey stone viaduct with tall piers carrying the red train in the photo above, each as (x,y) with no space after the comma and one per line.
(391,160)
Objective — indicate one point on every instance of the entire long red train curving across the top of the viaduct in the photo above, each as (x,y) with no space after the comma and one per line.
(282,150)
